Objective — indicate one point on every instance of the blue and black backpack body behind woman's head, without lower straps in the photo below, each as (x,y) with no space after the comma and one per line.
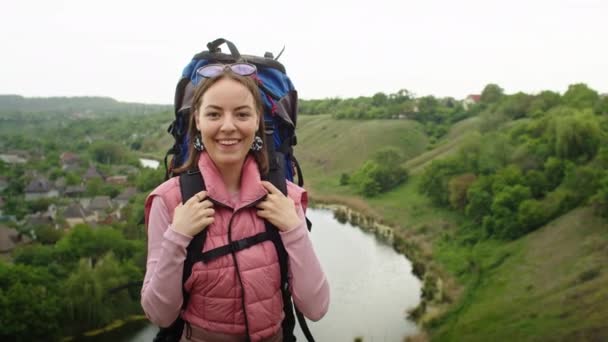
(280,109)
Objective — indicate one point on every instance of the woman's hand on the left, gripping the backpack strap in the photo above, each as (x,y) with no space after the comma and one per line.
(193,216)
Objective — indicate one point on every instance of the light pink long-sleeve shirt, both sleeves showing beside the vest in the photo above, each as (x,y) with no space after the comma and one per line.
(161,295)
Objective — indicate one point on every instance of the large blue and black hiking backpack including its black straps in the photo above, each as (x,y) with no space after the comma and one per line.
(280,118)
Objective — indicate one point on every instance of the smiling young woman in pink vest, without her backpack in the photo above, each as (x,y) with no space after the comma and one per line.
(236,297)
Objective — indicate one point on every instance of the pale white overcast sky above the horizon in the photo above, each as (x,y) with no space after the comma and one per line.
(135,50)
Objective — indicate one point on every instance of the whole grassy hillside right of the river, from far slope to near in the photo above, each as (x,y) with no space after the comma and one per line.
(548,285)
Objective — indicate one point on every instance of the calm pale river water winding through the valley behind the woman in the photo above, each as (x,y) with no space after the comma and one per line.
(372,286)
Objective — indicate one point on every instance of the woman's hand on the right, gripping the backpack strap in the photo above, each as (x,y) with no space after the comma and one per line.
(278,209)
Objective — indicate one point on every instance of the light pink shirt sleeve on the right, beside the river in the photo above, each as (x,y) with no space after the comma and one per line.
(308,283)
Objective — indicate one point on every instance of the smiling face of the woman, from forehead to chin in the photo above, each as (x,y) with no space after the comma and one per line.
(228,121)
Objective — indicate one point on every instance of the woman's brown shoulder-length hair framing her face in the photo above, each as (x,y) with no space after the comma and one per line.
(261,157)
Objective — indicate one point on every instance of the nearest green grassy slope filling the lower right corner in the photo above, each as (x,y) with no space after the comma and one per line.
(549,285)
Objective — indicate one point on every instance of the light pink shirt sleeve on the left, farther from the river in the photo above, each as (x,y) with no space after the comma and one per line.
(161,293)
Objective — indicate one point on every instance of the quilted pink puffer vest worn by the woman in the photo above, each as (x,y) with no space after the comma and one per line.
(217,298)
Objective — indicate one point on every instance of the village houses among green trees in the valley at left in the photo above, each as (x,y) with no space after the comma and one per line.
(69,204)
